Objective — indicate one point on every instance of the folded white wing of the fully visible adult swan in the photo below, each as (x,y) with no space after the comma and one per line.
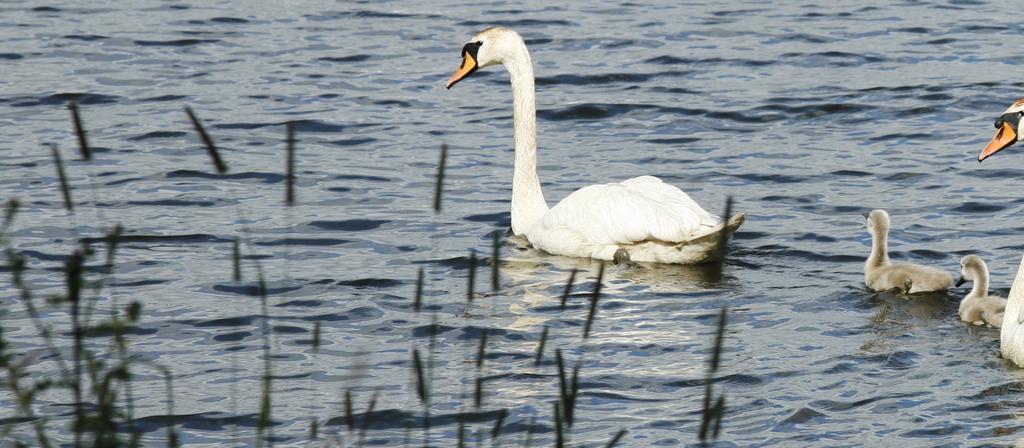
(637,210)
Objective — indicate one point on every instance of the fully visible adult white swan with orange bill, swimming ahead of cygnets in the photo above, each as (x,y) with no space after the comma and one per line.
(641,219)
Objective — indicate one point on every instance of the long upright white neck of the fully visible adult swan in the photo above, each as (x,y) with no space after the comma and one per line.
(528,201)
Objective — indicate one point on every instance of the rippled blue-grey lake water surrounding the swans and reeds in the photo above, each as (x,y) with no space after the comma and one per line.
(808,115)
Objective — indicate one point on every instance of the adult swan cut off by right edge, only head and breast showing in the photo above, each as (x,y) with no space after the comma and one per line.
(1008,132)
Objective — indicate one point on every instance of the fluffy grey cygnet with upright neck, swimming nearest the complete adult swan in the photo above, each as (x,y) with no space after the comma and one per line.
(881,275)
